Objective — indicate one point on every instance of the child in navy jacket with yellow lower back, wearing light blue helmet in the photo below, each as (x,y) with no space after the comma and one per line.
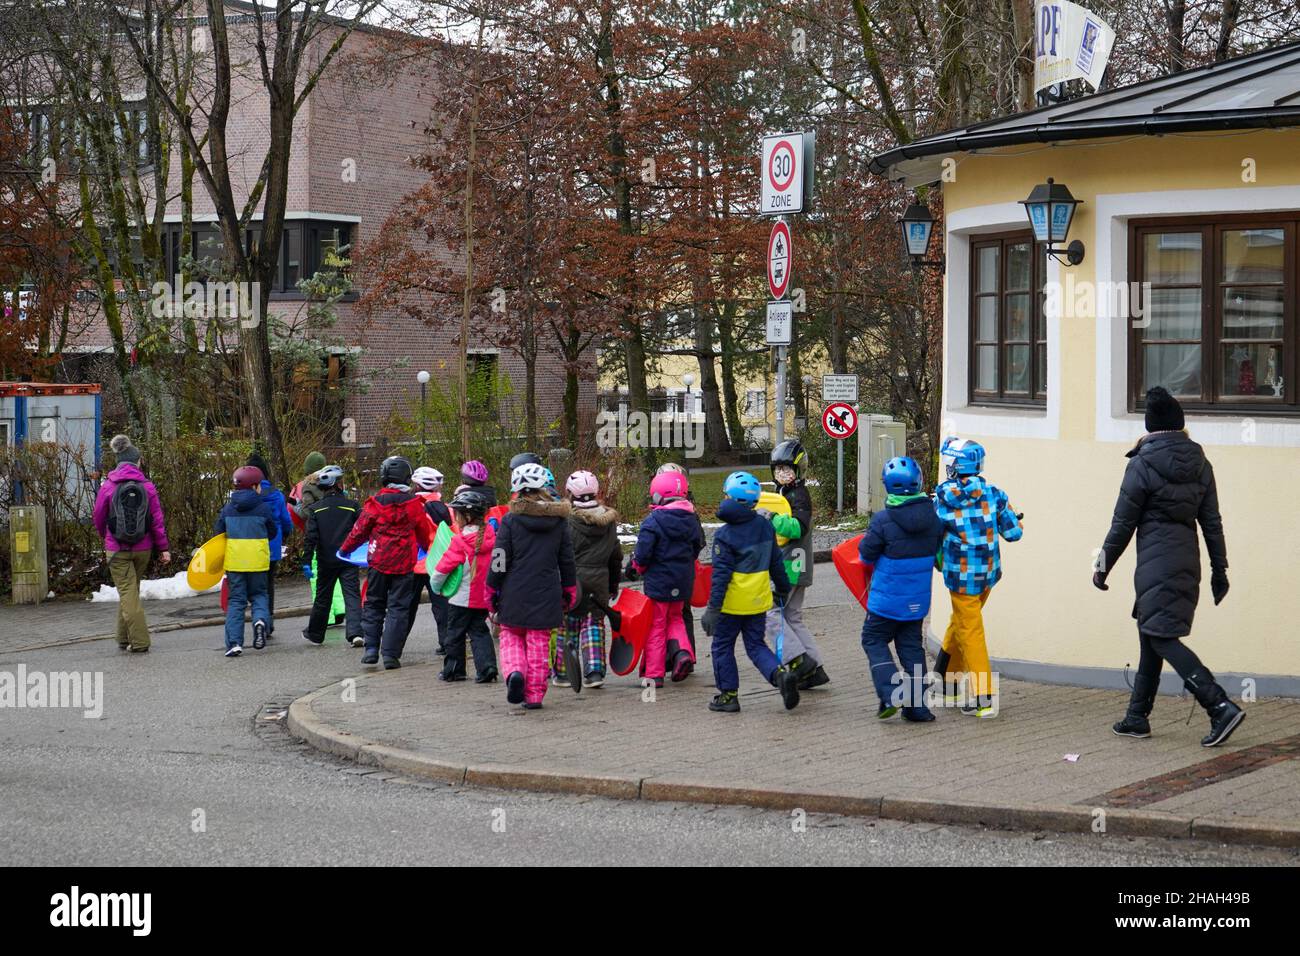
(747,568)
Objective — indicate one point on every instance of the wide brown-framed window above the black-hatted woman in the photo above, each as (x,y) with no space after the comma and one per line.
(1215,317)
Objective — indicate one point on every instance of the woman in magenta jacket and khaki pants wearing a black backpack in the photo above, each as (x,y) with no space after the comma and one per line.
(129,518)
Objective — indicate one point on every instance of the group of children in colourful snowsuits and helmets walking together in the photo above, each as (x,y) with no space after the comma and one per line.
(547,568)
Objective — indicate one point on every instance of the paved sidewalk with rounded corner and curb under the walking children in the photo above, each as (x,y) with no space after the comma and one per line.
(831,754)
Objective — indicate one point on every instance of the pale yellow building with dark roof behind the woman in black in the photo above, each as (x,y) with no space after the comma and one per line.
(1190,219)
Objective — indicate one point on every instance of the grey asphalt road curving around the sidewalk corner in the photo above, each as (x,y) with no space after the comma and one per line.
(189,767)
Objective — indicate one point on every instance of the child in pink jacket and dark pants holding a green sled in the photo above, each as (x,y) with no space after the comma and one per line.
(467,609)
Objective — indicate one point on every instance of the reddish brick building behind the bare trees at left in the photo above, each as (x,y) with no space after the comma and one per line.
(349,171)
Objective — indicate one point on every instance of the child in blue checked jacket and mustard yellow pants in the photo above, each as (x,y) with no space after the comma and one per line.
(974,514)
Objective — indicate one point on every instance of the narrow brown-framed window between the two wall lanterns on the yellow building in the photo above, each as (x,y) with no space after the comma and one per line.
(1009,351)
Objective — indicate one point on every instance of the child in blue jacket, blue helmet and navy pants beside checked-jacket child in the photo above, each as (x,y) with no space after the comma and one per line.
(902,542)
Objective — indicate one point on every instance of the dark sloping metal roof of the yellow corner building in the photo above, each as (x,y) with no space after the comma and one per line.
(1254,92)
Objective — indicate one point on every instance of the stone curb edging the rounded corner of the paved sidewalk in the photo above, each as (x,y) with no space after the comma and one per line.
(304,724)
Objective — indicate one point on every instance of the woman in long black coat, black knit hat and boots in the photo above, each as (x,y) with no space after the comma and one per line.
(1168,491)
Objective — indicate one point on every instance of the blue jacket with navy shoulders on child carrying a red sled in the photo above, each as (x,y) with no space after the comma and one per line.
(902,543)
